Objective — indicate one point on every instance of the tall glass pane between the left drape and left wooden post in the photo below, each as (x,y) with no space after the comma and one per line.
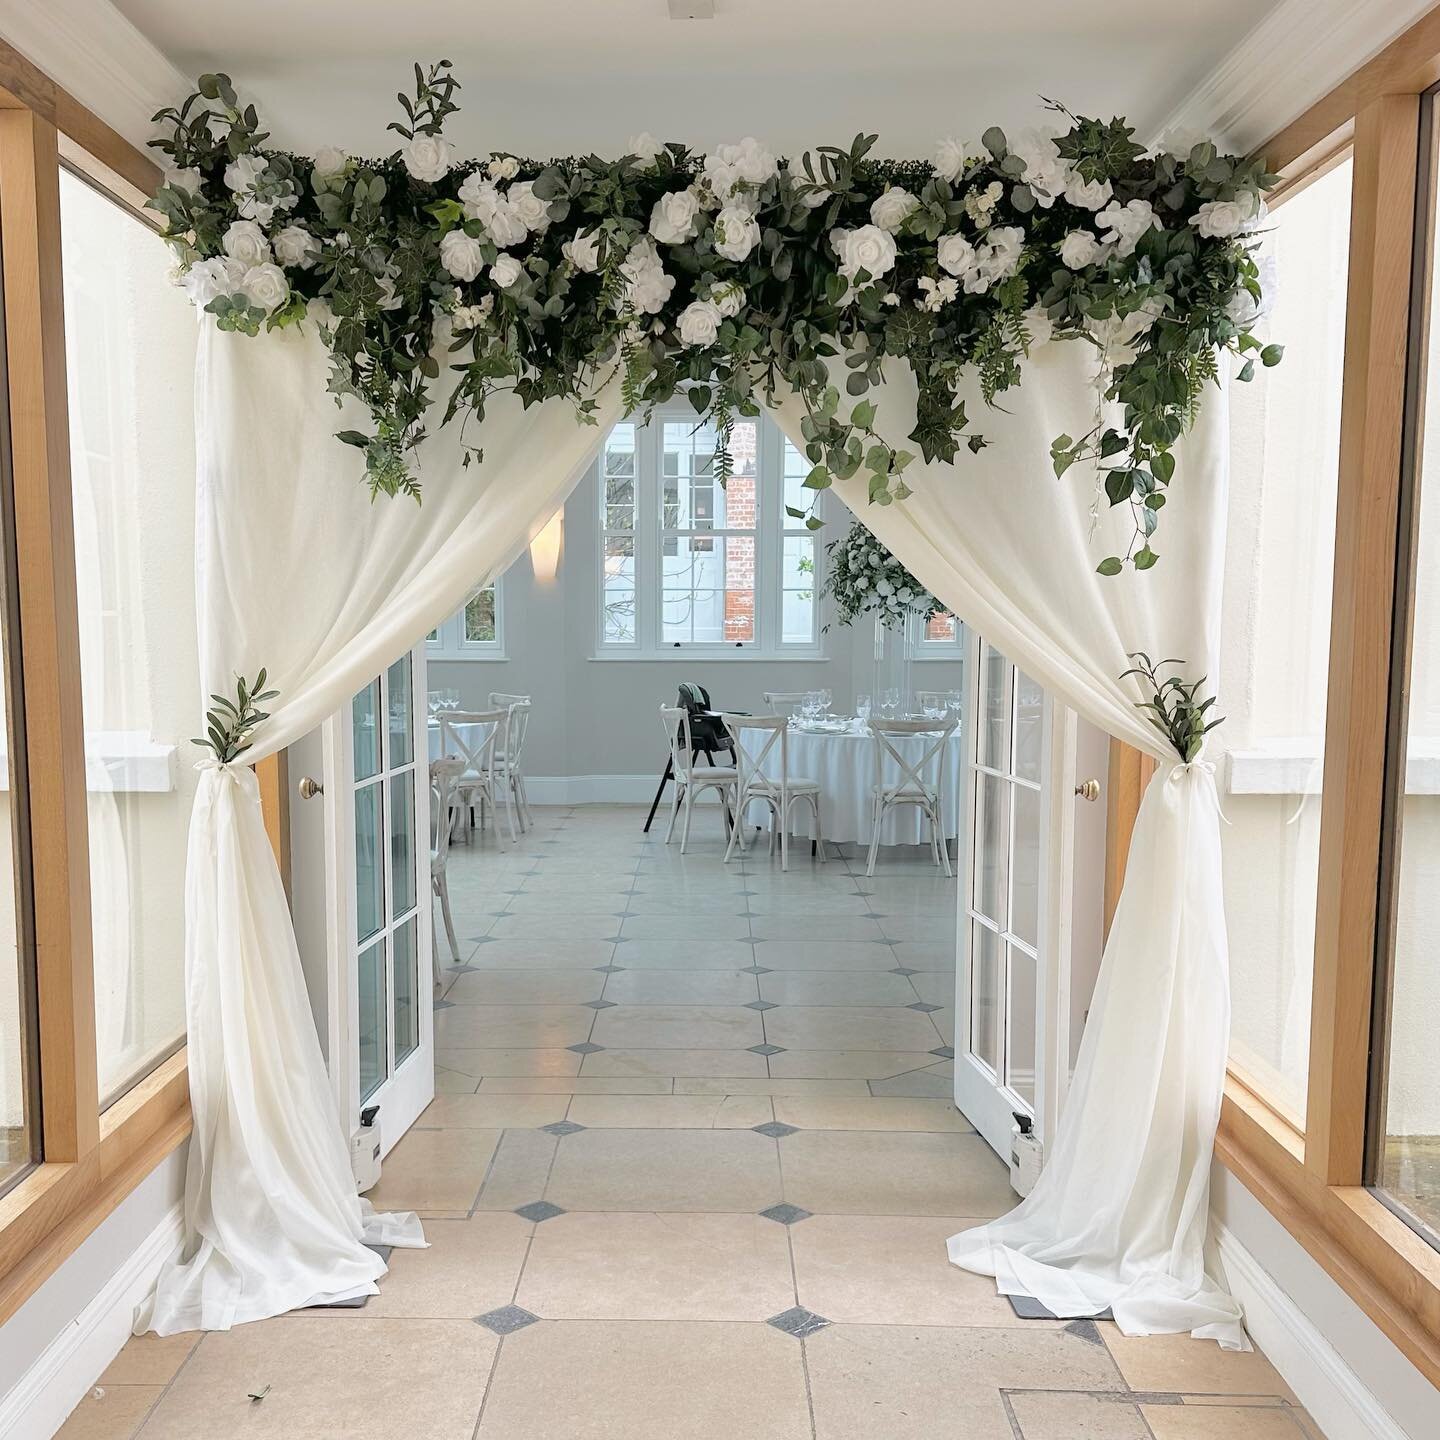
(130,362)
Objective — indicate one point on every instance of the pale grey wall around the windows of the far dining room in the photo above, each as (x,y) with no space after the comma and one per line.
(600,716)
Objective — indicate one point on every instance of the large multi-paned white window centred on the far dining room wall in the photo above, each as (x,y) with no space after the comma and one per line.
(689,564)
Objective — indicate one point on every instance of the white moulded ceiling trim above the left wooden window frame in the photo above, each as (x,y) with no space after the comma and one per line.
(99,57)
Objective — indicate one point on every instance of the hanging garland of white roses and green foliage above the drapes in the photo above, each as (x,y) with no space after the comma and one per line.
(732,277)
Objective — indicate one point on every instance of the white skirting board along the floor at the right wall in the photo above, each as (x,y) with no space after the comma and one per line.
(1330,1390)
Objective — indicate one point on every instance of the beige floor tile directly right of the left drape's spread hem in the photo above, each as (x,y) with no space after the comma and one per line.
(470,1268)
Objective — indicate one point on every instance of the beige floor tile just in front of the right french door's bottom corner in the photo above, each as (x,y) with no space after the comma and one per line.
(868,1173)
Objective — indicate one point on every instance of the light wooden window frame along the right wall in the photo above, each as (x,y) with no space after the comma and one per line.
(1314,1183)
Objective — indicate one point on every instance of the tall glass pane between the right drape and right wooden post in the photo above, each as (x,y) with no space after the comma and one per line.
(1279,570)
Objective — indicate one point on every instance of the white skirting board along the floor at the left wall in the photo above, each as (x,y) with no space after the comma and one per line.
(71,1364)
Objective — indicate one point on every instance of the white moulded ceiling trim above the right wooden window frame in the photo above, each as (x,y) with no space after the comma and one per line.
(1298,54)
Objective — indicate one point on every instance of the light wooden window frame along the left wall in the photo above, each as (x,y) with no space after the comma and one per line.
(91,1160)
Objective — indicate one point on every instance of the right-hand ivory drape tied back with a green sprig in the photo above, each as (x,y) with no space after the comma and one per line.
(1120,1216)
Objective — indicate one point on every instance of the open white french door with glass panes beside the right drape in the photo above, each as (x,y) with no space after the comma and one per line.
(1020,927)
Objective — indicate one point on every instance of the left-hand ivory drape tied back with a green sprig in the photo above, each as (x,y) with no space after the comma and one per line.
(299,572)
